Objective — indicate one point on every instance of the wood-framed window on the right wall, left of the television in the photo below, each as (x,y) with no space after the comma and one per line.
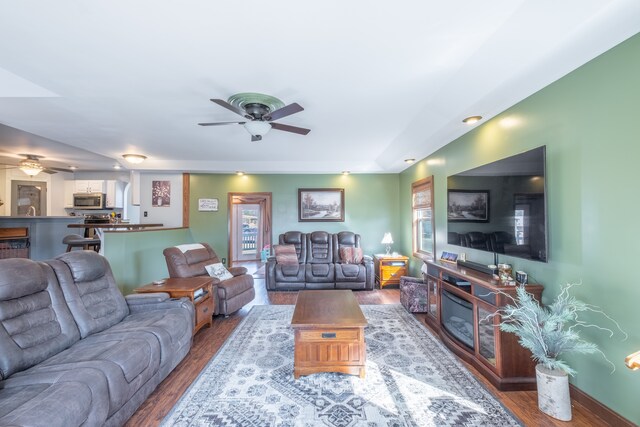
(422,211)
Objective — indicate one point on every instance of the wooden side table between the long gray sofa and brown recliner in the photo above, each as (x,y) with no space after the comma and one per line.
(187,287)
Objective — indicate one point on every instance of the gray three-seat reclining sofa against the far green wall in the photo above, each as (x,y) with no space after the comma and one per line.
(319,263)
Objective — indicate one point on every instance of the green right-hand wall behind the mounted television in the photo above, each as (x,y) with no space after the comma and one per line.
(588,121)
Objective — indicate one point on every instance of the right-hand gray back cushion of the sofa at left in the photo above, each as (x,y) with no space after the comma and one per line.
(90,290)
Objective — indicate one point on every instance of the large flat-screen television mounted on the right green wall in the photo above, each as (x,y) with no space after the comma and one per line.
(501,207)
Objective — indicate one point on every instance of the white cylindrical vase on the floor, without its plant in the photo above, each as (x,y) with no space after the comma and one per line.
(553,393)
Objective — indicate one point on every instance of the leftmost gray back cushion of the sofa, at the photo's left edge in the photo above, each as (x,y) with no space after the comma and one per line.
(35,322)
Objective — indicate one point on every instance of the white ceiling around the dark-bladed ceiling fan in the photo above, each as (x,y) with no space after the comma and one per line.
(380,81)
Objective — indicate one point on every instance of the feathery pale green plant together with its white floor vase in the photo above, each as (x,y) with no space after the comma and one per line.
(551,332)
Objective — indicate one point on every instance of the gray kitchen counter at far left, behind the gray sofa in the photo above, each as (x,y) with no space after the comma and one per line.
(45,233)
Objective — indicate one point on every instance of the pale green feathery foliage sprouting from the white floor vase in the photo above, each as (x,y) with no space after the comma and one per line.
(551,331)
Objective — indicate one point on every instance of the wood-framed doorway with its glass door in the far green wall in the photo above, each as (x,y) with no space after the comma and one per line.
(249,226)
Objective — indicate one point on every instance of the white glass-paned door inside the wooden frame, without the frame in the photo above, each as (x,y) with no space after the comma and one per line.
(247,232)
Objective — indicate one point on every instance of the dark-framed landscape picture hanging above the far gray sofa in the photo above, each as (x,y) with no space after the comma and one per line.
(320,204)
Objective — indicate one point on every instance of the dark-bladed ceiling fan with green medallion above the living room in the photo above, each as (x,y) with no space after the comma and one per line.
(259,112)
